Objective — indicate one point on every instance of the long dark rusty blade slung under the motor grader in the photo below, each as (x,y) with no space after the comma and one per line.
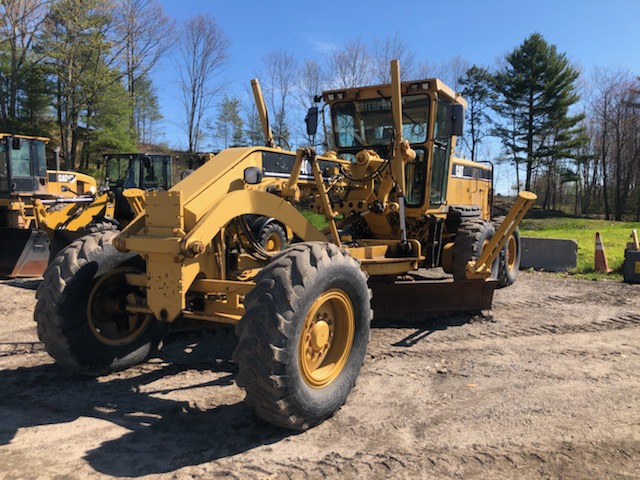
(417,296)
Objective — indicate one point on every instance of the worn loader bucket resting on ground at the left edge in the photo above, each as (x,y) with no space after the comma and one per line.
(23,252)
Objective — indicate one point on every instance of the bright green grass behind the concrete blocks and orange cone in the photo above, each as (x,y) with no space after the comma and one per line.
(614,235)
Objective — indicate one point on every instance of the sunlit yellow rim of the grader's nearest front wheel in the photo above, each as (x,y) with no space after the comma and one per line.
(327,337)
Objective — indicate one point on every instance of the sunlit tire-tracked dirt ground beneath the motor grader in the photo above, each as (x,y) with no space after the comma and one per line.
(548,388)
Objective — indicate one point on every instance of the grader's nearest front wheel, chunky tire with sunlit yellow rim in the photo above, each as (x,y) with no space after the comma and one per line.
(304,335)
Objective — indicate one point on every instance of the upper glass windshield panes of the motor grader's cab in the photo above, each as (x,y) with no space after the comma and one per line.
(370,122)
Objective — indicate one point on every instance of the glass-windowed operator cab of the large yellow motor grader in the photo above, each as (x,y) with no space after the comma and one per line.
(361,118)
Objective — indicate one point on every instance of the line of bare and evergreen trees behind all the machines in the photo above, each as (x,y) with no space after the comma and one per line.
(82,73)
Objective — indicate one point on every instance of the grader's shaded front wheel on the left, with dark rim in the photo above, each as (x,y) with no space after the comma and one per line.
(80,310)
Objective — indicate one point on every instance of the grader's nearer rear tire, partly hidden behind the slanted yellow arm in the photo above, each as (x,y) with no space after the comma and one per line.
(470,239)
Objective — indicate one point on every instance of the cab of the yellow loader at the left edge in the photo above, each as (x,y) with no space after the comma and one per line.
(23,165)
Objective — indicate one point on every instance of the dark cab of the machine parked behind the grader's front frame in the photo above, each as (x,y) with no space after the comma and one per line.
(146,171)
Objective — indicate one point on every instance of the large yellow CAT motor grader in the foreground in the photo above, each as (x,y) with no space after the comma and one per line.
(396,202)
